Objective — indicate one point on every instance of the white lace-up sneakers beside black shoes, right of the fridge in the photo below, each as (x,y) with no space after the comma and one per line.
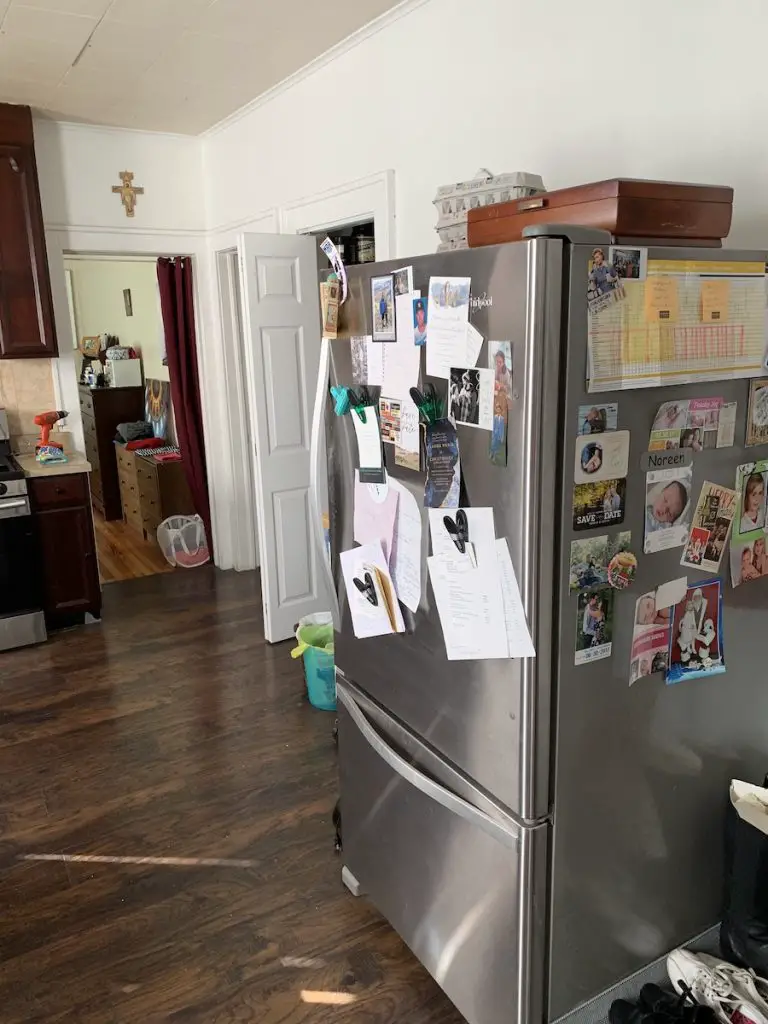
(714,988)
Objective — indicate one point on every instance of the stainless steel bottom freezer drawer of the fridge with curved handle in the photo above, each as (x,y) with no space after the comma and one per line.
(464,889)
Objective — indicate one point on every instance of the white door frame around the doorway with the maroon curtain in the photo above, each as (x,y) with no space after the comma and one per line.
(63,242)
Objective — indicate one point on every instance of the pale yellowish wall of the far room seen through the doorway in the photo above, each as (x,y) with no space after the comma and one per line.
(98,287)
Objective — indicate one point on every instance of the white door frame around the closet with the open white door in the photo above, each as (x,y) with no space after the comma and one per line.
(363,200)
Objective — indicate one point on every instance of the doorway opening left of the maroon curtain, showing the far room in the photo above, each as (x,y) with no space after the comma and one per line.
(138,478)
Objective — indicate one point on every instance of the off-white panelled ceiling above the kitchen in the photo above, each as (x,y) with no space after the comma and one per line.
(177,66)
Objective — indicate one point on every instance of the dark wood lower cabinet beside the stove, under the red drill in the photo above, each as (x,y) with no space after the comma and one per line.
(68,548)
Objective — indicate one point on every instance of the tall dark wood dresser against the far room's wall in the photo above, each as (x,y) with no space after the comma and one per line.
(103,409)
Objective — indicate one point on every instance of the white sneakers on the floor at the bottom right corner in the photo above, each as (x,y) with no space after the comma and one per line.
(737,996)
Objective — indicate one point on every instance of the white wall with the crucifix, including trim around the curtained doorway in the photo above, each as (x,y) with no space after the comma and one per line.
(78,165)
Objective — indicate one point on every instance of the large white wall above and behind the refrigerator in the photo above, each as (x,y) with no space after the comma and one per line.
(572,92)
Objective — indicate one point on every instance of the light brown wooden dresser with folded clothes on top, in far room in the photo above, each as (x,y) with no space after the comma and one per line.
(151,491)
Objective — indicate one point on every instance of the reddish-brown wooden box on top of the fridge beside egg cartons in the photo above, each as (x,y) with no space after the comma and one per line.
(666,212)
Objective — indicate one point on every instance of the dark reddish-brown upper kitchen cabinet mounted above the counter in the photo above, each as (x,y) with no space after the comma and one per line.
(26,309)
